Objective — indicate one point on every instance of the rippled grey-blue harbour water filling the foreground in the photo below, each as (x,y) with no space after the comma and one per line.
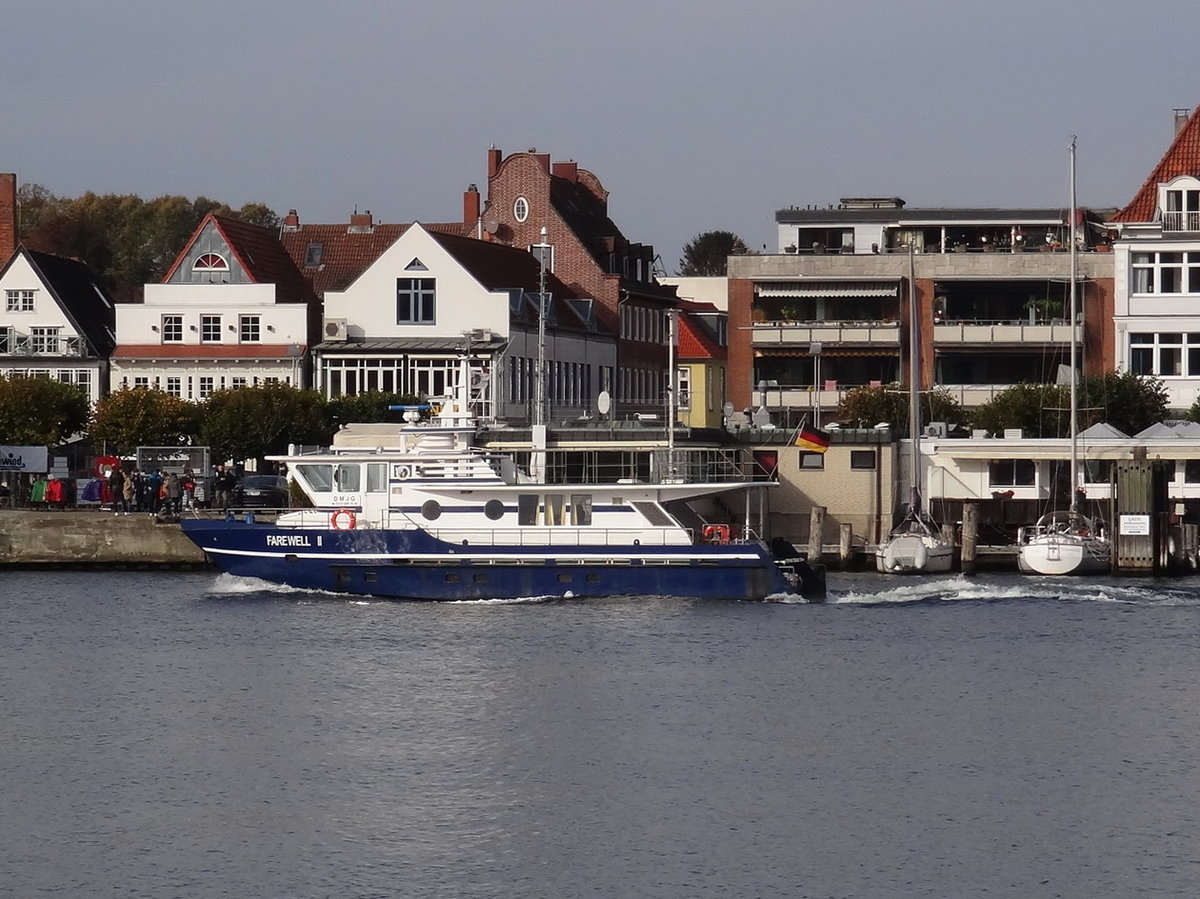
(190,735)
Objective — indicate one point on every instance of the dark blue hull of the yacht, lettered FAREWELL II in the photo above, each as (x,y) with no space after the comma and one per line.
(412,565)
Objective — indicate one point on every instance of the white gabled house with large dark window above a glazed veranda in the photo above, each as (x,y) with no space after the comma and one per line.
(404,322)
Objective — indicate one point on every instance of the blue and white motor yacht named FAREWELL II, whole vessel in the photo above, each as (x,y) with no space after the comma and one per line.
(429,516)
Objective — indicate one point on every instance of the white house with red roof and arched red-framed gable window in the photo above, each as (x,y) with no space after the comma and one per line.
(232,311)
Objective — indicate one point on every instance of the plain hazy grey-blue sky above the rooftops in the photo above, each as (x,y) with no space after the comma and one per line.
(695,116)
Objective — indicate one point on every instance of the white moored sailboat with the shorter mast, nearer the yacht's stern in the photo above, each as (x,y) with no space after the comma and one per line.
(916,546)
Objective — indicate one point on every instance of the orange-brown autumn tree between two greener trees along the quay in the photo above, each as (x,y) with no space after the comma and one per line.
(140,417)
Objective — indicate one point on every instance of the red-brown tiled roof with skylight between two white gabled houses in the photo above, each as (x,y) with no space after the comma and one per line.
(346,253)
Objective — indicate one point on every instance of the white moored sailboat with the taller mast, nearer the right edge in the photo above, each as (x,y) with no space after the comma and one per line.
(1067,542)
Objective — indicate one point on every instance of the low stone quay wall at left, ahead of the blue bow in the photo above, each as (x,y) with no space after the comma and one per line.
(93,538)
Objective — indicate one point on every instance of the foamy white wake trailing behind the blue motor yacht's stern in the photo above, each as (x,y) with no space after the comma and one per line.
(869,590)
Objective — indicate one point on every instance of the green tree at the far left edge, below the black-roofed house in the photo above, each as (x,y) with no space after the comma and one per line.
(39,412)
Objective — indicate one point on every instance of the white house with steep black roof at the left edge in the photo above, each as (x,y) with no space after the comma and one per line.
(57,322)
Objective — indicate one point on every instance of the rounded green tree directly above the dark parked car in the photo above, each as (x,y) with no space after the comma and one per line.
(257,422)
